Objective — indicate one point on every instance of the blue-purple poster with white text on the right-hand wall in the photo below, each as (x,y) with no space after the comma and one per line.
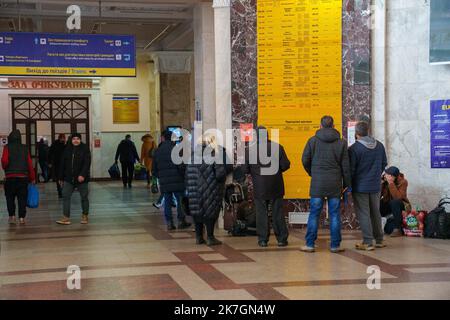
(440,134)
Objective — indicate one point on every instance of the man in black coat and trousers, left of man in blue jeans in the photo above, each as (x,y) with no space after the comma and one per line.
(268,187)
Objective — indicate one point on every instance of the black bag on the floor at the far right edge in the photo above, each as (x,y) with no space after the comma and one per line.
(437,222)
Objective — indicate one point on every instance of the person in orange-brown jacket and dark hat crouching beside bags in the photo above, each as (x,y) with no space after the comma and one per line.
(394,200)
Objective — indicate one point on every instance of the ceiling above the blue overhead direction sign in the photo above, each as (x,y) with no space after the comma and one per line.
(157,24)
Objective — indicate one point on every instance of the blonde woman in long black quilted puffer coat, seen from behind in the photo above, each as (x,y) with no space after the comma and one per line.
(206,189)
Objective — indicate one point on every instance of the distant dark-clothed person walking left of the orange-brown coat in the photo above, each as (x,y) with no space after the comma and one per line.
(126,151)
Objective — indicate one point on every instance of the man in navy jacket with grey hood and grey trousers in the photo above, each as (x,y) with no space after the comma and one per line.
(367,161)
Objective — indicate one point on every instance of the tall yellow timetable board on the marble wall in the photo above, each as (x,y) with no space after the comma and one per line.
(299,75)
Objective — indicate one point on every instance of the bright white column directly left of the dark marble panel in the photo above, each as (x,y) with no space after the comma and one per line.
(222,42)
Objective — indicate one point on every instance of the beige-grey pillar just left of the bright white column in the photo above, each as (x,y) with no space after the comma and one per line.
(204,63)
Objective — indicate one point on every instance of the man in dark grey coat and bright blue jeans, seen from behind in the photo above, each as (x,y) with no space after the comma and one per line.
(325,159)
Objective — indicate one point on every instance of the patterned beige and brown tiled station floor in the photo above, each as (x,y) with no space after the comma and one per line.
(126,253)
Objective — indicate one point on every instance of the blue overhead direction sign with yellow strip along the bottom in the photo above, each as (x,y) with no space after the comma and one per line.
(67,54)
